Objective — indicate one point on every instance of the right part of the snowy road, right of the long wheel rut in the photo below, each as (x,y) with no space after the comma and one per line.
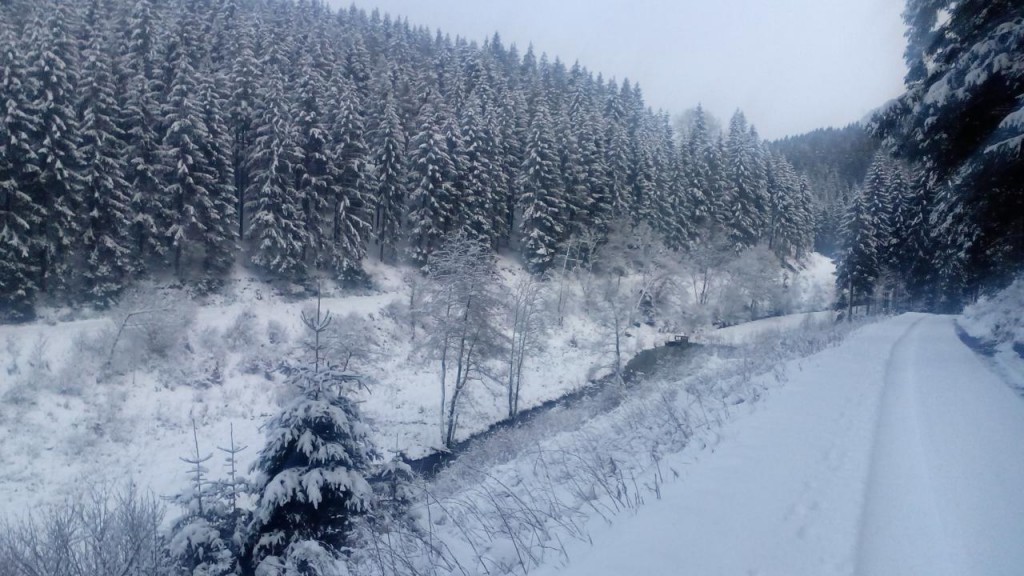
(944,492)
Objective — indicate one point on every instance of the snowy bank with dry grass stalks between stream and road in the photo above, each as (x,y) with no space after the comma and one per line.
(511,504)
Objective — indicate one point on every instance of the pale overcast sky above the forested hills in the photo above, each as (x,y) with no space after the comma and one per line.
(791,66)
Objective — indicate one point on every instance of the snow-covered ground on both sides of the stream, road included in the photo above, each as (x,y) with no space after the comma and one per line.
(895,452)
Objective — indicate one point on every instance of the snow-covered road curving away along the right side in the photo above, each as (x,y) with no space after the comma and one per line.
(900,452)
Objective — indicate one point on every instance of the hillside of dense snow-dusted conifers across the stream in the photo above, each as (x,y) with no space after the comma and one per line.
(152,139)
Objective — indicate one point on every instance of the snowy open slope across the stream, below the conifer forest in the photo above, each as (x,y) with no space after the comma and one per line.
(66,421)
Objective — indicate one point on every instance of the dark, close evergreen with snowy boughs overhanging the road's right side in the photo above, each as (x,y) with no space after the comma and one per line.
(961,118)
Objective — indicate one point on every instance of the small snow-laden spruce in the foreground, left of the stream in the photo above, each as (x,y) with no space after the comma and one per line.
(311,475)
